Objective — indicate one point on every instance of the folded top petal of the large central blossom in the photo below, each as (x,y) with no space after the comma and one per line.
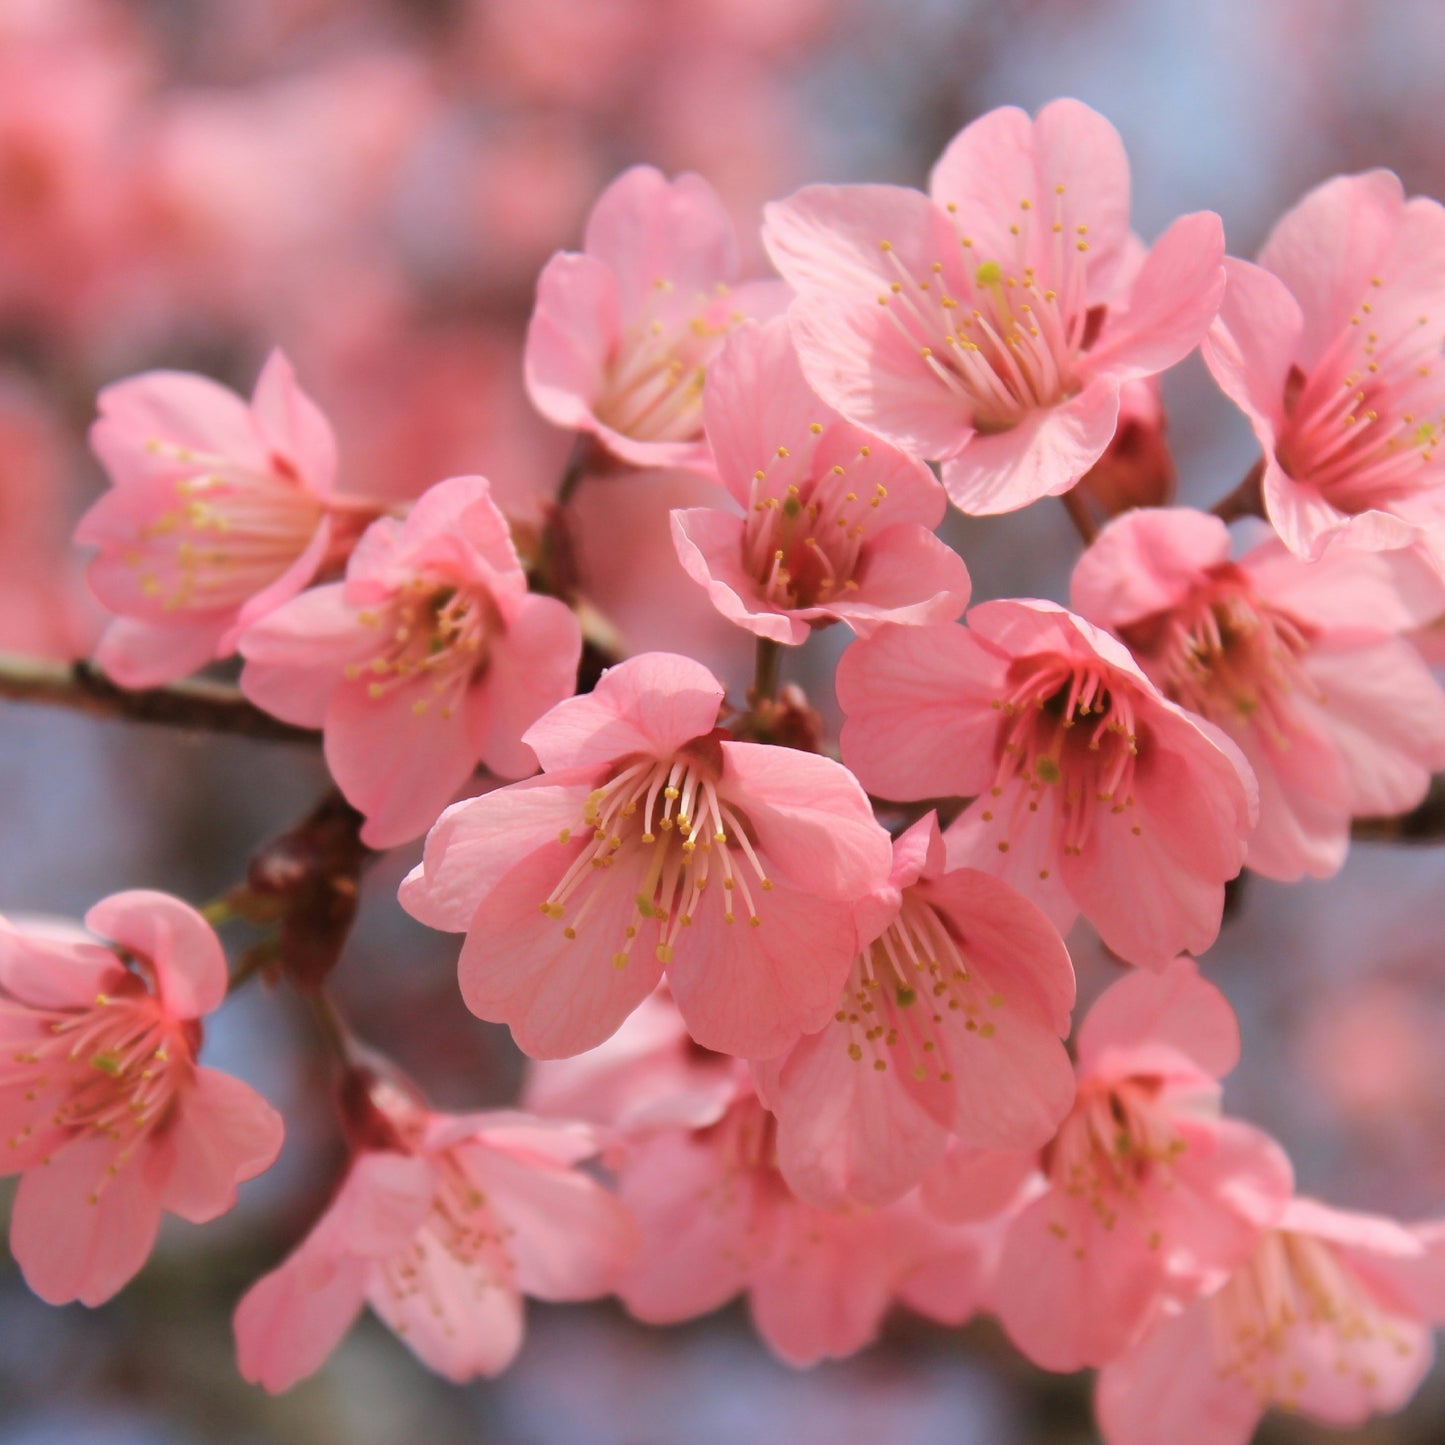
(652,704)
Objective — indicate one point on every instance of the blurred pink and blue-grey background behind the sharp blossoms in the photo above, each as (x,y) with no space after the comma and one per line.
(374,186)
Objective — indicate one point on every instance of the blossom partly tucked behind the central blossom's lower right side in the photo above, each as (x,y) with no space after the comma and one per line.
(952,1024)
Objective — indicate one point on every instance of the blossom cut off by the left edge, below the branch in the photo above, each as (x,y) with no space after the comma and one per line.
(103,1108)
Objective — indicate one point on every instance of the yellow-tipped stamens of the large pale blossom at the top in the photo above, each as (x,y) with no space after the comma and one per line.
(993,330)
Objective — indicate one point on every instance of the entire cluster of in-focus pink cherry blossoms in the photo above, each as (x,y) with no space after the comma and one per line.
(801,1009)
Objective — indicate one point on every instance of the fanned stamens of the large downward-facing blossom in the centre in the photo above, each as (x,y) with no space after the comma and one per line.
(673,832)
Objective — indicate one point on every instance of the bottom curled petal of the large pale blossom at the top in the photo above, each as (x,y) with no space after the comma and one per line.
(1043,456)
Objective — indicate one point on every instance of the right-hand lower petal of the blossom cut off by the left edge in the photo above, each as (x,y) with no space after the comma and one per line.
(223,1134)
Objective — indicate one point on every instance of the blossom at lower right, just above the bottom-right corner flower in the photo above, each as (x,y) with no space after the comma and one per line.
(1151,1196)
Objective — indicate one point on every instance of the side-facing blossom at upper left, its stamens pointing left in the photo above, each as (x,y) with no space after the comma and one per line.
(219,512)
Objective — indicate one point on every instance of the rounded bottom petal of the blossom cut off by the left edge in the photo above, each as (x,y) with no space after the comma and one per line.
(80,1232)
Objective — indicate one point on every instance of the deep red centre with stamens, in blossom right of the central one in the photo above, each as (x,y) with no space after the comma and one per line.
(1067,748)
